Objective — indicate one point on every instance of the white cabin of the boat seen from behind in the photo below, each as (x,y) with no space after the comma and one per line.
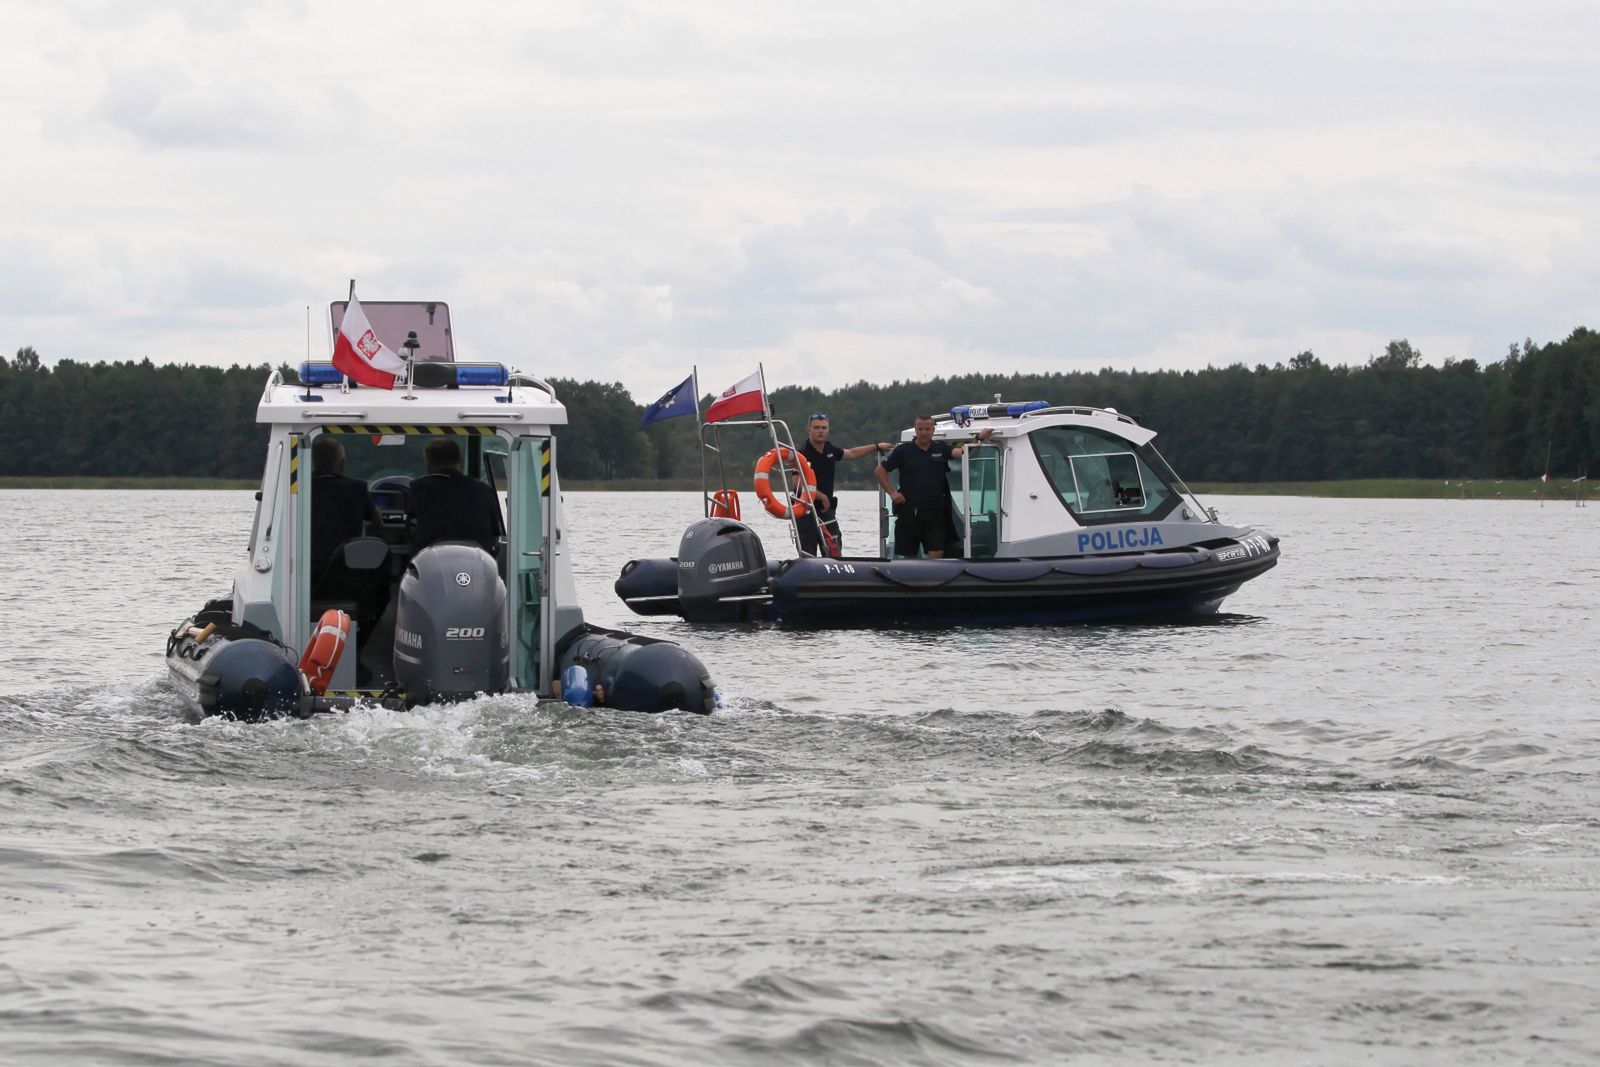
(505,426)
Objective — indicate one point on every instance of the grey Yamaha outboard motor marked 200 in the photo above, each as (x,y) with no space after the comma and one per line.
(450,625)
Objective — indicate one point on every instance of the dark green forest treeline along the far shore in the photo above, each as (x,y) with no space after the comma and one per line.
(1298,422)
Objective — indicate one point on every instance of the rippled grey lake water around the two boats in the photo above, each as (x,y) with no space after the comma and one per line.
(1353,820)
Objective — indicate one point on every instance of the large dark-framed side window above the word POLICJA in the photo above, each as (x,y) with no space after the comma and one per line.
(1102,478)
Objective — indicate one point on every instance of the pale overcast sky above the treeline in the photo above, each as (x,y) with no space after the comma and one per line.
(841,191)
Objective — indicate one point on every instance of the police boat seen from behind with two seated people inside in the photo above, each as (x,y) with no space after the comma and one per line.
(396,625)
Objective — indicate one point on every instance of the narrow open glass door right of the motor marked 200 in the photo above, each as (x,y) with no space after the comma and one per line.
(527,562)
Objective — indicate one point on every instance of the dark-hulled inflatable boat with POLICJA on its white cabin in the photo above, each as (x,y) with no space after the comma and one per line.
(1062,516)
